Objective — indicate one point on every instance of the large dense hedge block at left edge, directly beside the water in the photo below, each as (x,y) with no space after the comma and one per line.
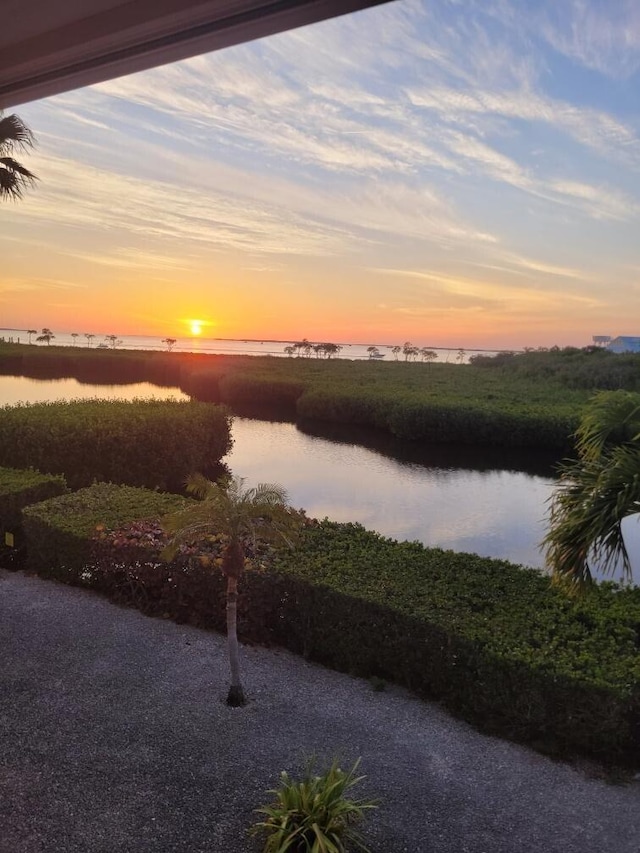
(151,443)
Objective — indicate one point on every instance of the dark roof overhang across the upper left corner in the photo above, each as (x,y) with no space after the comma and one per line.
(51,47)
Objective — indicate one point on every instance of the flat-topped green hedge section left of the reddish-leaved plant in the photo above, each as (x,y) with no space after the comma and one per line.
(59,532)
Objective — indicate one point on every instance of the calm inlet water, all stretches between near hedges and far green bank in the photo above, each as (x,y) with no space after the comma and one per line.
(486,501)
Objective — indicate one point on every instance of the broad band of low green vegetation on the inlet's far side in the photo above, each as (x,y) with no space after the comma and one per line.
(528,400)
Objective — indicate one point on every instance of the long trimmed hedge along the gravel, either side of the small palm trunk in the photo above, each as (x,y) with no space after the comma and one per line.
(490,640)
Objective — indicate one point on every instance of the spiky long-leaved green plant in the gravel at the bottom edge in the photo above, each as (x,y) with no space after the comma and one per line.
(315,814)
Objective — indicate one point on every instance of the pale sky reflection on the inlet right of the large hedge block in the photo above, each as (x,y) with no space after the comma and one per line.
(490,512)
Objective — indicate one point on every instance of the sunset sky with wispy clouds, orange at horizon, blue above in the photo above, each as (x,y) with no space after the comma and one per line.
(449,172)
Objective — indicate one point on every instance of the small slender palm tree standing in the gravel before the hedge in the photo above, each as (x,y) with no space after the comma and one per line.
(227,507)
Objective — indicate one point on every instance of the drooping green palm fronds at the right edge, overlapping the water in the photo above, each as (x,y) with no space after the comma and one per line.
(596,492)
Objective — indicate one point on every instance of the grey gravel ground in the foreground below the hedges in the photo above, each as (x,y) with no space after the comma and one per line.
(114,737)
